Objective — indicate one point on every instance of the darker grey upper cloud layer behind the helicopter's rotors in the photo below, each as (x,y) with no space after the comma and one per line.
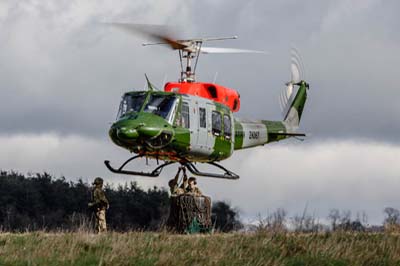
(63,71)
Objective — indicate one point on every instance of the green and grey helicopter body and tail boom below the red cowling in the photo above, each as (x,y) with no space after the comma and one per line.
(179,127)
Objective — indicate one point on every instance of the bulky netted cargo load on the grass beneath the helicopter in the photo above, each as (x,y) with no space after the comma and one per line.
(190,214)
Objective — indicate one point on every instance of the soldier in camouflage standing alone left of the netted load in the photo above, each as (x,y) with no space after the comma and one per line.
(99,205)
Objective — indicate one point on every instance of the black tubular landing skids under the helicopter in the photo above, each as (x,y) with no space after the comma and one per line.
(157,171)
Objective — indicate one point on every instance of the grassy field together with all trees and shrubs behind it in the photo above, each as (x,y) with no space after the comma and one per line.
(55,211)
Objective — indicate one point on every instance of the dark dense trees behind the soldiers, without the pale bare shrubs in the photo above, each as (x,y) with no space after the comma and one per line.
(44,202)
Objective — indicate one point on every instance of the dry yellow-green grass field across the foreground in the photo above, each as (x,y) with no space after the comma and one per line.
(142,248)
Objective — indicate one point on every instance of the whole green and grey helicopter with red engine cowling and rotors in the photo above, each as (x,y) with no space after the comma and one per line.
(192,122)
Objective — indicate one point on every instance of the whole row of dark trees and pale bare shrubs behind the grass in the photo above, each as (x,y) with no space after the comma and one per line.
(44,202)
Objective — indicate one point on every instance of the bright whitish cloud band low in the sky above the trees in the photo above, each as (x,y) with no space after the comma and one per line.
(345,175)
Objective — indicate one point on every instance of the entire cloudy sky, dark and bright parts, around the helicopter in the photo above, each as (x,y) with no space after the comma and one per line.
(62,74)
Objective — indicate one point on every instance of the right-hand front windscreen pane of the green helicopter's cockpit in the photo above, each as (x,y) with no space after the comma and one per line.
(162,105)
